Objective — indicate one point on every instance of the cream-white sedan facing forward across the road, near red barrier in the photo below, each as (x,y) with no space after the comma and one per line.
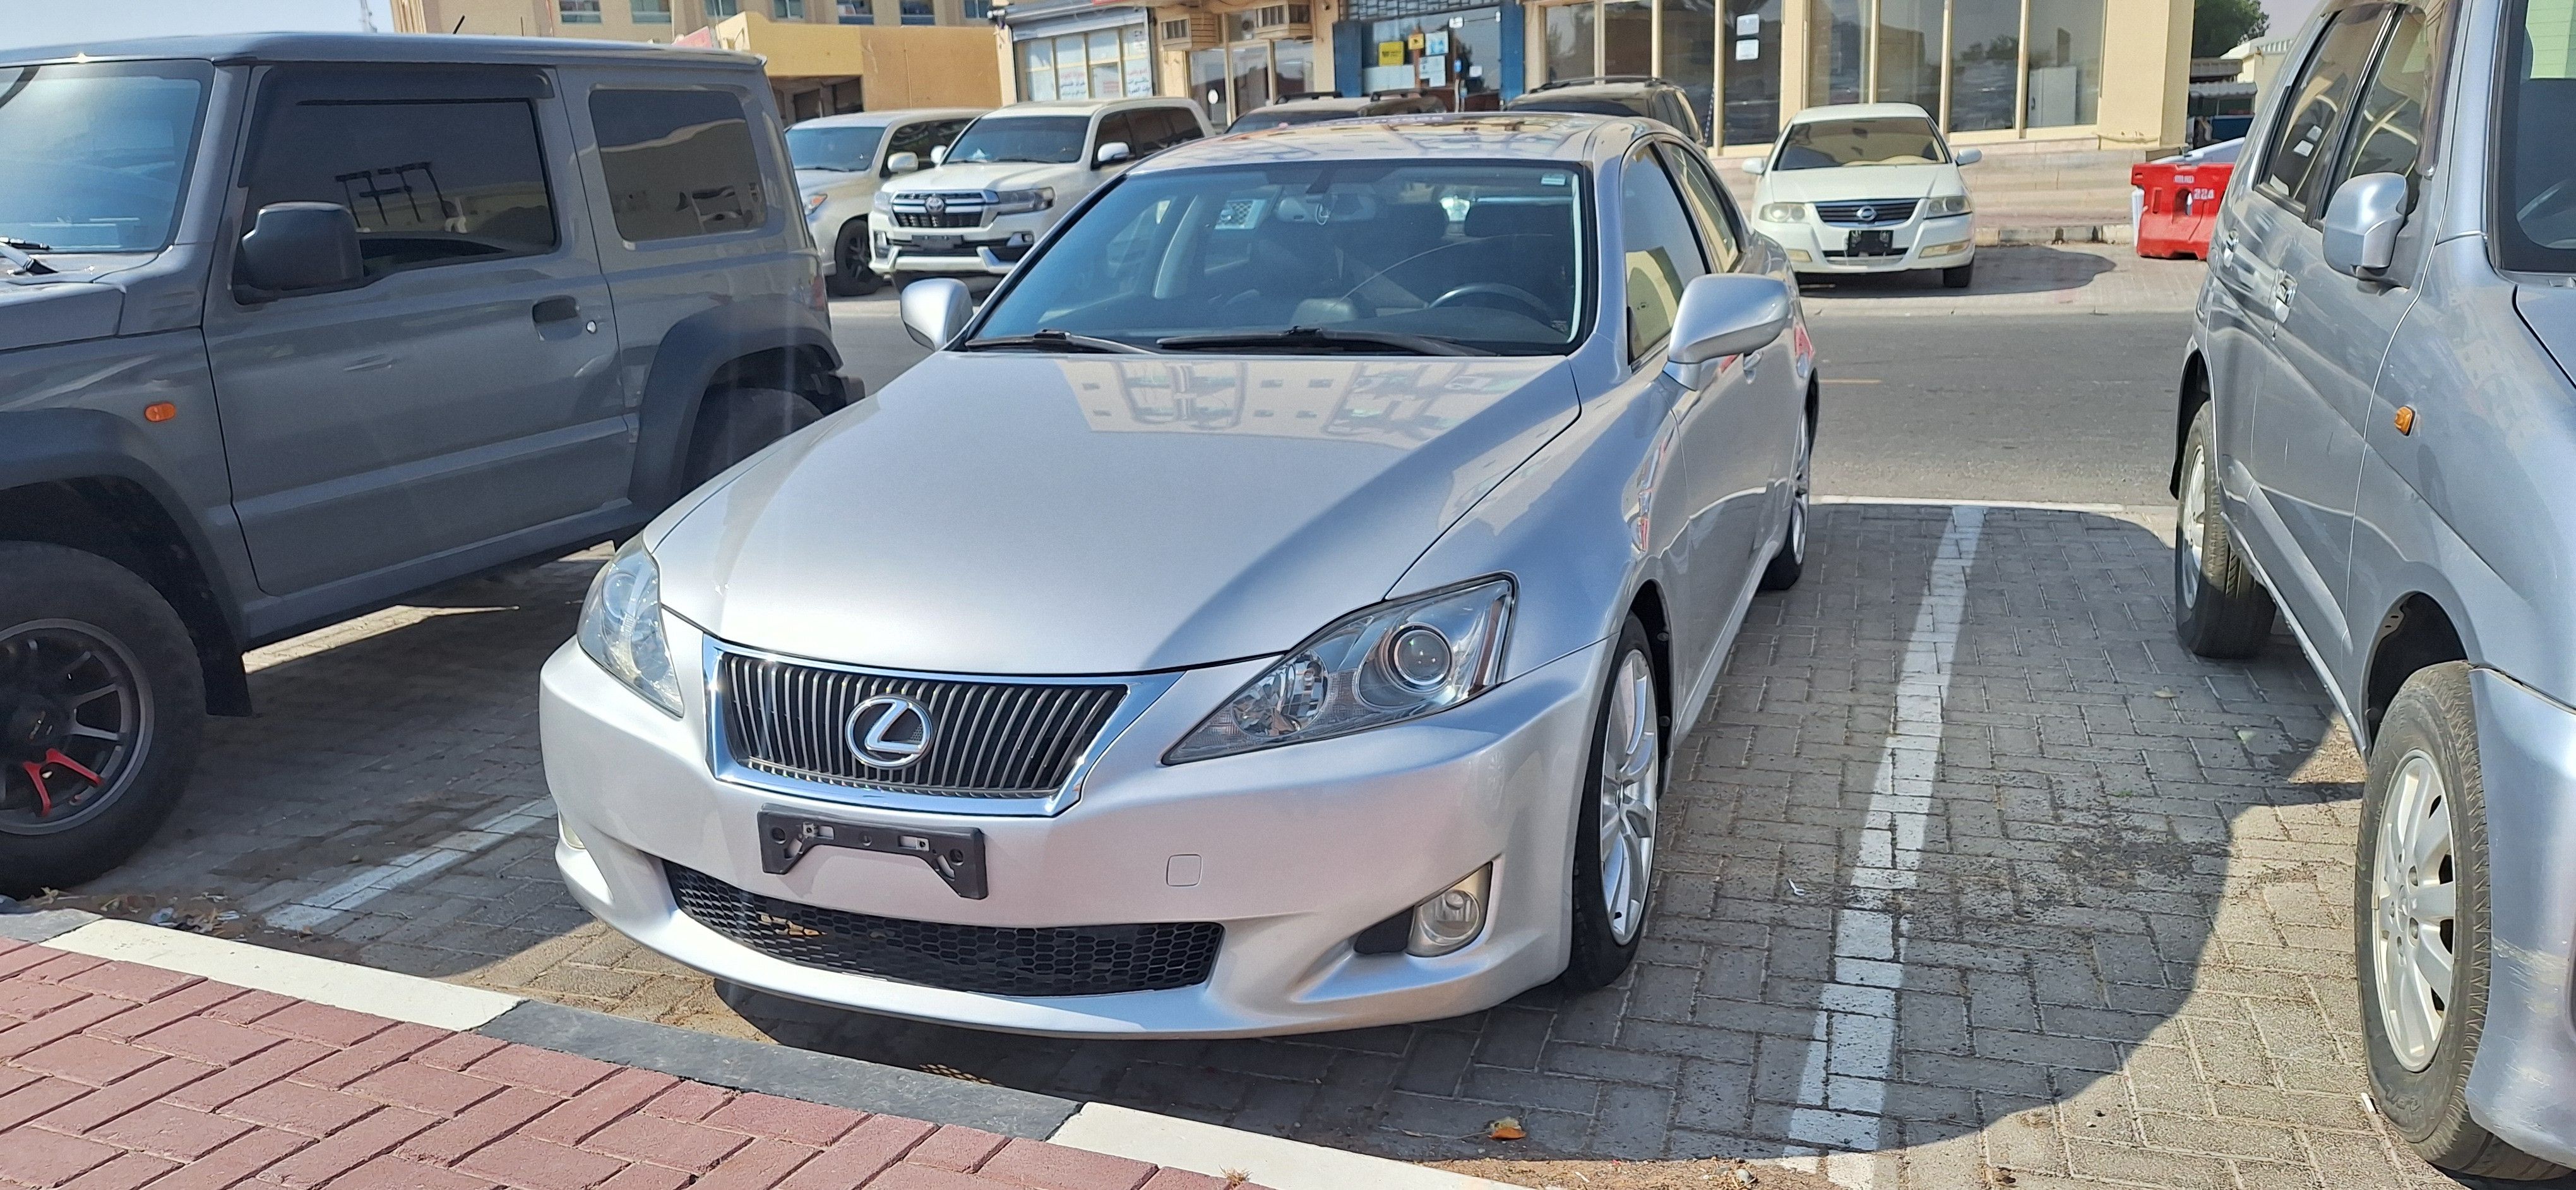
(1869,189)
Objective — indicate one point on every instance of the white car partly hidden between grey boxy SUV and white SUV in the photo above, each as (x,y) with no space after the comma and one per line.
(841,161)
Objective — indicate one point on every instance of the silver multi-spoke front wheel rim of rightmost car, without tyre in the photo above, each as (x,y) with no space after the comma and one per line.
(2415,900)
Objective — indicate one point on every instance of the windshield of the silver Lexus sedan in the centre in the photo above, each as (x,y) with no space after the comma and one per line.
(1452,256)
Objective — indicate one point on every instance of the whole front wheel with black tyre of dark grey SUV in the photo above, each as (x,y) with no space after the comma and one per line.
(102,710)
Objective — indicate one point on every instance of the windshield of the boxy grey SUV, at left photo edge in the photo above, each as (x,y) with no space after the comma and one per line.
(94,156)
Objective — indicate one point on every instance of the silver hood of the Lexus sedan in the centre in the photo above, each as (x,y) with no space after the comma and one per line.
(1083,516)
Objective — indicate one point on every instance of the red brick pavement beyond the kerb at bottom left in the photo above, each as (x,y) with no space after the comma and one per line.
(125,1078)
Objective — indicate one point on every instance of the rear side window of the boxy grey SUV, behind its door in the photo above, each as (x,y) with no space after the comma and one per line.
(679,164)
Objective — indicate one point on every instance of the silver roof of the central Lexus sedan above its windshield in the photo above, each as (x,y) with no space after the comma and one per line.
(1488,135)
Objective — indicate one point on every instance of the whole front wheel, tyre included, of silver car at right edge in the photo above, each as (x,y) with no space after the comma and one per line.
(2423,926)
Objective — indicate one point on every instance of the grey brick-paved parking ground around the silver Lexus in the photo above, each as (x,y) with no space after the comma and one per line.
(2121,947)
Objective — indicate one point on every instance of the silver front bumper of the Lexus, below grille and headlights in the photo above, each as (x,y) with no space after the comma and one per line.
(1297,851)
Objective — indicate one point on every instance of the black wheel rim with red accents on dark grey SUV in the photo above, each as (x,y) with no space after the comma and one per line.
(76,717)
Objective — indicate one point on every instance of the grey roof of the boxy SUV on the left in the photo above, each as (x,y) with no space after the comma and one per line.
(383,48)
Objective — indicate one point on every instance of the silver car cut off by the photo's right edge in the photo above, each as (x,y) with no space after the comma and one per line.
(2374,442)
